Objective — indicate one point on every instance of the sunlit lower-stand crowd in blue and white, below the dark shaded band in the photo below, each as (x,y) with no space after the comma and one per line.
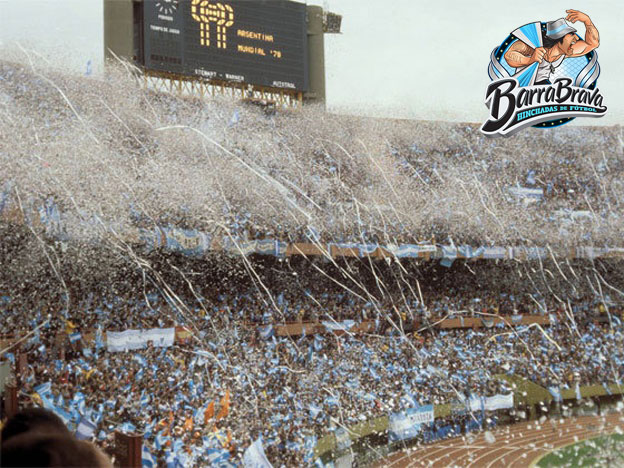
(234,381)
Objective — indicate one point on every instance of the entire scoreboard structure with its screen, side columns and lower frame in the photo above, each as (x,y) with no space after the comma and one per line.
(236,47)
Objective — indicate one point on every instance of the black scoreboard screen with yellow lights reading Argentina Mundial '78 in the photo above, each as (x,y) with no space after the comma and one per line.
(261,42)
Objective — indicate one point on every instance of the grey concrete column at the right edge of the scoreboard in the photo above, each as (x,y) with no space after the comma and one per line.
(316,55)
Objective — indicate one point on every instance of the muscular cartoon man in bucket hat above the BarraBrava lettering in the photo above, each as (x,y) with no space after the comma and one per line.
(559,42)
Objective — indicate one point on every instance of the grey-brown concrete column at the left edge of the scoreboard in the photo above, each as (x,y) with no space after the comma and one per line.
(119,29)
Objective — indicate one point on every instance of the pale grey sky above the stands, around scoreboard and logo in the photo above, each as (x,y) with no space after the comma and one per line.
(395,58)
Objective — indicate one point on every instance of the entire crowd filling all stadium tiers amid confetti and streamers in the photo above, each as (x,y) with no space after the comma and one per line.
(328,178)
